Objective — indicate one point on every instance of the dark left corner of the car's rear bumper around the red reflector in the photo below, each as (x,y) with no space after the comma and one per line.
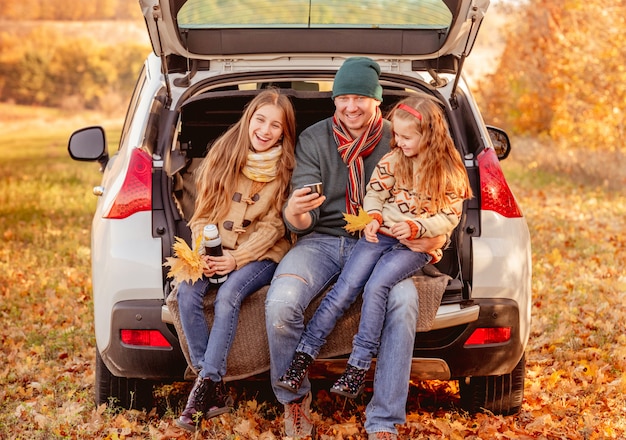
(142,362)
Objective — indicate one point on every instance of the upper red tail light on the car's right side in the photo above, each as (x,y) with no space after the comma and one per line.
(495,194)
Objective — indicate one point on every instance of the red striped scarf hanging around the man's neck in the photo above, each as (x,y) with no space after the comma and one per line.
(352,152)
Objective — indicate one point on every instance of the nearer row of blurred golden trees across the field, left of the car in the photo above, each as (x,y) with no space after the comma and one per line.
(45,68)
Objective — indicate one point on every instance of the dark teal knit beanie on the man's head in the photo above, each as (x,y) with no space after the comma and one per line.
(358,76)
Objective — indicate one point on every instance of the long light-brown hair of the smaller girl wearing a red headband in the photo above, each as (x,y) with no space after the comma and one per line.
(437,168)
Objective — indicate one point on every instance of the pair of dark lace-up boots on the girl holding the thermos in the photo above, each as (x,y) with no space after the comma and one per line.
(207,399)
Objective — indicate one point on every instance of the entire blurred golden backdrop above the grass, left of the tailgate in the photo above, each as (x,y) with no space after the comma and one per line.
(78,55)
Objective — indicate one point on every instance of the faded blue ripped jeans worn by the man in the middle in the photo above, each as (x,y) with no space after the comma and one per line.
(306,271)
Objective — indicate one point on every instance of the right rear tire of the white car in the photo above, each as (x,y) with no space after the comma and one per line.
(501,395)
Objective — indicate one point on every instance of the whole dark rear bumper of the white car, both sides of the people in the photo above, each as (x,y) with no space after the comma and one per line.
(439,354)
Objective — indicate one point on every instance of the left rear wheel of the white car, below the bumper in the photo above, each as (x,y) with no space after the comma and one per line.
(121,391)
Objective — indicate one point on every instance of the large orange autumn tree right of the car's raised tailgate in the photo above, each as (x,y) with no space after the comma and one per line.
(562,73)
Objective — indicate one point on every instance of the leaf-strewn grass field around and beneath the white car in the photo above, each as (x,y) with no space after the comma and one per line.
(576,376)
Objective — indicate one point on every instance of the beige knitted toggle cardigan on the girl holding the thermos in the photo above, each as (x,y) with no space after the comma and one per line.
(253,230)
